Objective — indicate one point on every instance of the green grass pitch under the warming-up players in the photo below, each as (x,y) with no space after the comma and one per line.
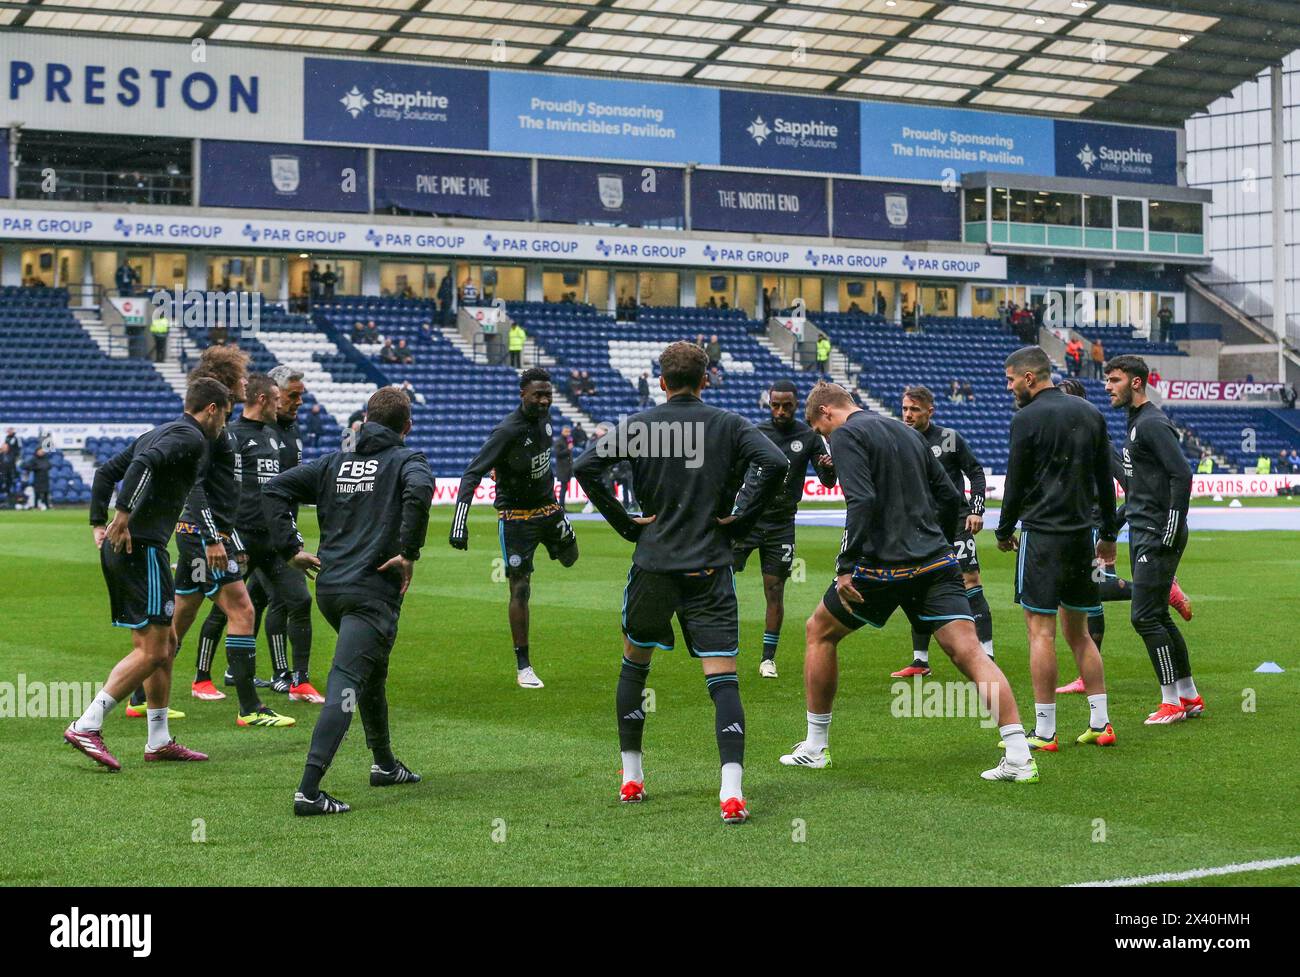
(521,787)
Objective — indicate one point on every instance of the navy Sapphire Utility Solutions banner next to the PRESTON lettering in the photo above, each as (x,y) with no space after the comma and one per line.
(385,103)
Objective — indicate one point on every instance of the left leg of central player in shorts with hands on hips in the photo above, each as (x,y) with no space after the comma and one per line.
(649,603)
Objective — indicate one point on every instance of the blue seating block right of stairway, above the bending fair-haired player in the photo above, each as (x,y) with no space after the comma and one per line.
(963,349)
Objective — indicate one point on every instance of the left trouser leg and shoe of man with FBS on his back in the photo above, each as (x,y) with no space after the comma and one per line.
(359,648)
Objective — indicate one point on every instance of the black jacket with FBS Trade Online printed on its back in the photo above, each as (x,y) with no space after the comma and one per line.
(372,505)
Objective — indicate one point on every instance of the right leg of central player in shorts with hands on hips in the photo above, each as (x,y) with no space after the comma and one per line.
(710,627)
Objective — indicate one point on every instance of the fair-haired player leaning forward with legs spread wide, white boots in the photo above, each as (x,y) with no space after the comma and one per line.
(895,554)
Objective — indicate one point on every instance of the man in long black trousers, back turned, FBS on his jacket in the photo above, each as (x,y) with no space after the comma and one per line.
(374,511)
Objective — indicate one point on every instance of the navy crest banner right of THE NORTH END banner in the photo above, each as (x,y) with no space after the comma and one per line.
(877,211)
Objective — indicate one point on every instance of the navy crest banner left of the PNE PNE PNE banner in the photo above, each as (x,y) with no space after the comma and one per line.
(283,177)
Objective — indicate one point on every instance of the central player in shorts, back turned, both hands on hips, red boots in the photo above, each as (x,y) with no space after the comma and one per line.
(688,462)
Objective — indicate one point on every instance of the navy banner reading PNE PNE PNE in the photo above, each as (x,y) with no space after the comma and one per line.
(454,185)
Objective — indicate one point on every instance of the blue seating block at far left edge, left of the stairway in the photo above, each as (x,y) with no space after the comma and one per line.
(53,372)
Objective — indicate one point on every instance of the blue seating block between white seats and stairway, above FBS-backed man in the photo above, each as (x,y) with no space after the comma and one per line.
(463,400)
